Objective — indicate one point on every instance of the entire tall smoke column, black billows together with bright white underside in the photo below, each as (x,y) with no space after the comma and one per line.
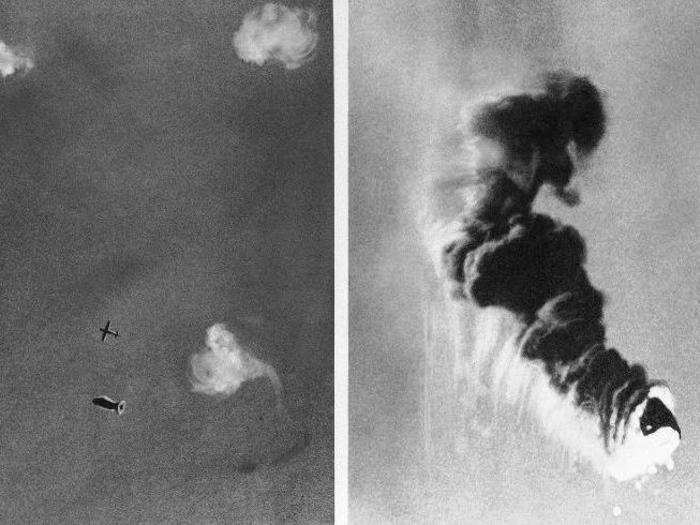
(540,343)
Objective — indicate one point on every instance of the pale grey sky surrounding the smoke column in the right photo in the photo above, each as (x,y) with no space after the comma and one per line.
(411,64)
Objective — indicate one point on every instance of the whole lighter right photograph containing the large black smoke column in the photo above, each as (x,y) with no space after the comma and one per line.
(523,316)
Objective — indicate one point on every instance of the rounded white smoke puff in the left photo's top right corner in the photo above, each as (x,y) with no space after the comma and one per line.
(274,31)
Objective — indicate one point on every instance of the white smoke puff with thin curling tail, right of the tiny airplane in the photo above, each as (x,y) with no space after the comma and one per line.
(221,368)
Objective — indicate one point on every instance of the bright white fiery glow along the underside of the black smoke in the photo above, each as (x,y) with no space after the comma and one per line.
(498,371)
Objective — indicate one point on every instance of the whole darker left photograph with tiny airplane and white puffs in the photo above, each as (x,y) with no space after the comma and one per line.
(166,262)
